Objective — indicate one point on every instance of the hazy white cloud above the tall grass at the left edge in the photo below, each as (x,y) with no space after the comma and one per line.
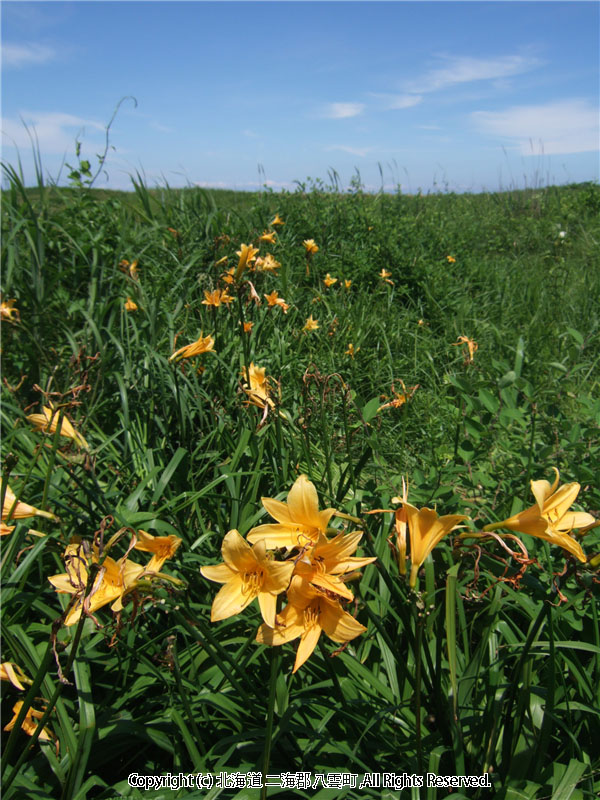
(53,131)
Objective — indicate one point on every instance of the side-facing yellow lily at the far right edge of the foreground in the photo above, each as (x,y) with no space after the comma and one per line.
(550,518)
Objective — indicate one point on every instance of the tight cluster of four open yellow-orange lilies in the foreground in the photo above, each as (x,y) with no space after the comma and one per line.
(300,556)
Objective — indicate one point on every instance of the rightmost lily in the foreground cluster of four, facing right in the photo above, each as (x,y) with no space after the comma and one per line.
(328,559)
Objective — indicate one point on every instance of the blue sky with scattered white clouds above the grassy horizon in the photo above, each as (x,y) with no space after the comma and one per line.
(466,96)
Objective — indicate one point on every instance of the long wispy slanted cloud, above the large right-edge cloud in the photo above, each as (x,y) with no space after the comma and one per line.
(465,70)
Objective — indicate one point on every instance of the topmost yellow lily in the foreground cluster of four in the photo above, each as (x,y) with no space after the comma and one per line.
(300,521)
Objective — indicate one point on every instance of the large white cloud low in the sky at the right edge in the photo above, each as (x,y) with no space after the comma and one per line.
(565,126)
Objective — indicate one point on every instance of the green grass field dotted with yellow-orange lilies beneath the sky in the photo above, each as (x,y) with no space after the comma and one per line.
(452,362)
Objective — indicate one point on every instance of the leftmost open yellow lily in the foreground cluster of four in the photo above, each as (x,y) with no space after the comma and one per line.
(248,573)
